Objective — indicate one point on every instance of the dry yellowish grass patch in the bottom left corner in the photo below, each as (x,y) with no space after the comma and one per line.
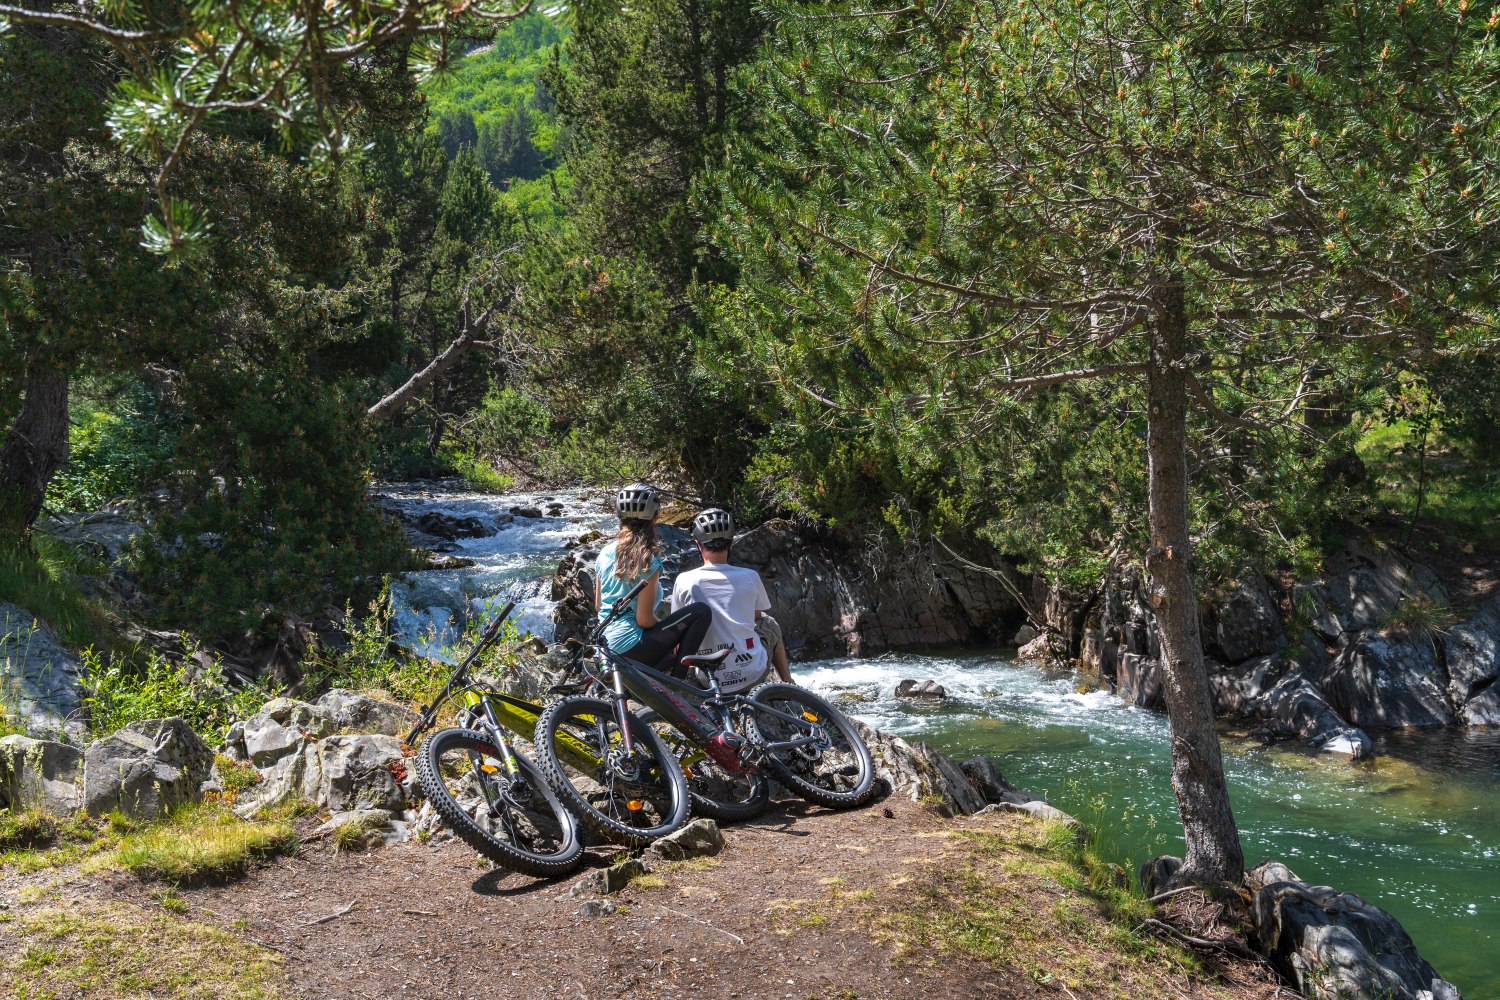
(115,951)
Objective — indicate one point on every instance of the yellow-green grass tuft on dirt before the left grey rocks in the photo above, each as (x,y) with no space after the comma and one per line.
(203,842)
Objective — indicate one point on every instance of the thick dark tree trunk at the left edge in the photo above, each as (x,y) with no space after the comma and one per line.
(35,449)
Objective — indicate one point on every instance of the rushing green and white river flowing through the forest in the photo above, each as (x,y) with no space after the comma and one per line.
(1415,831)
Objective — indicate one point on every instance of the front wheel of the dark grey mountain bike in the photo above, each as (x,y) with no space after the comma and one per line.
(631,797)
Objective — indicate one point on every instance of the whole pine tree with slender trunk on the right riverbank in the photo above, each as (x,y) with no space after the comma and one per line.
(956,217)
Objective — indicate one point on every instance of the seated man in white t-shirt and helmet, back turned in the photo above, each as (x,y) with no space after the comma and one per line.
(739,602)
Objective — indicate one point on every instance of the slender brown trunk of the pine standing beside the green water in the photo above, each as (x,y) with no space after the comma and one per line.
(1198,770)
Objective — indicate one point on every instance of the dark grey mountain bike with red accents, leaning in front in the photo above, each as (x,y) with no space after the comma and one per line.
(800,738)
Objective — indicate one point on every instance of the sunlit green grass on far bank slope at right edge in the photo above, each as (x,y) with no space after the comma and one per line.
(1460,497)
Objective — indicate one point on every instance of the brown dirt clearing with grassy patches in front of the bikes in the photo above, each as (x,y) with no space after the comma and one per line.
(884,902)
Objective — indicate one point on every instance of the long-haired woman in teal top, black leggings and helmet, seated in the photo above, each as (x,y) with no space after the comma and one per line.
(622,564)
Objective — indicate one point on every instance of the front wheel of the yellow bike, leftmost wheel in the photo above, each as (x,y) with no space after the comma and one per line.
(517,821)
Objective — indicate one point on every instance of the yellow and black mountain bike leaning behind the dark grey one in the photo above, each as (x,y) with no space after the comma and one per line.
(488,794)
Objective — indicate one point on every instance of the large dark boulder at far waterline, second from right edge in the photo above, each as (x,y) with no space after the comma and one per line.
(1391,683)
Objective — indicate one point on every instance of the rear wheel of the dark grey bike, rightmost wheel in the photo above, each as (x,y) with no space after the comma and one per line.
(835,770)
